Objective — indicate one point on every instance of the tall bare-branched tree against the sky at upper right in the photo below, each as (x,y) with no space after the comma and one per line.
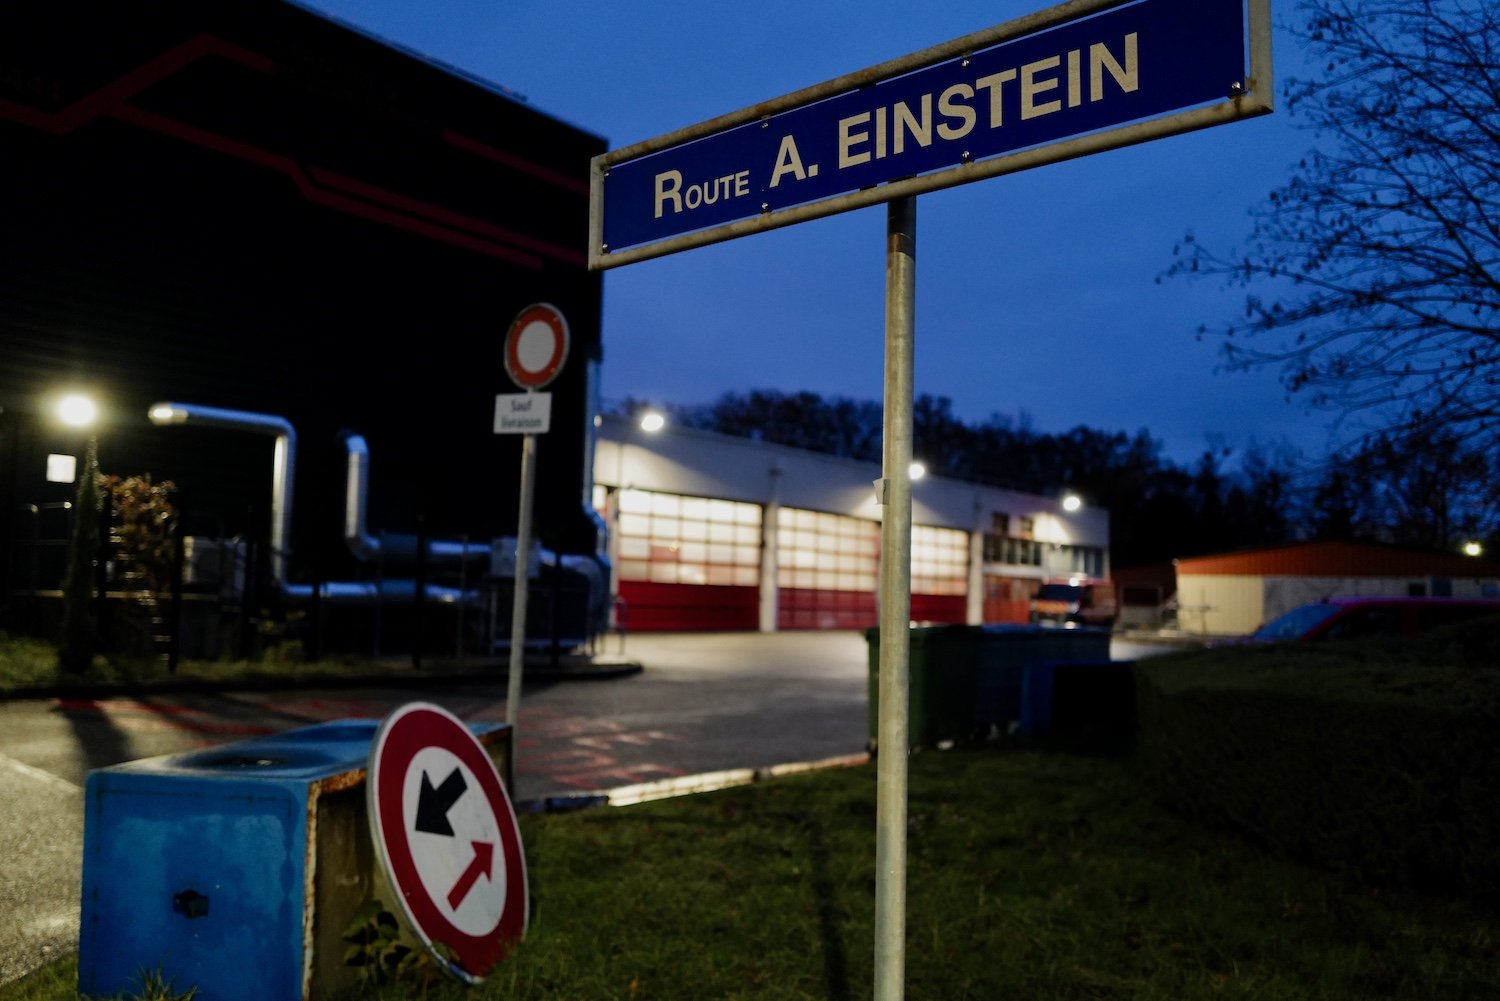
(1373,277)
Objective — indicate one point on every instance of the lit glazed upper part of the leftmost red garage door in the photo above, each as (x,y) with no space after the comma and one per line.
(671,540)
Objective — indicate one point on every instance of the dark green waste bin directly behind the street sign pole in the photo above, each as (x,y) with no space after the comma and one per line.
(944,676)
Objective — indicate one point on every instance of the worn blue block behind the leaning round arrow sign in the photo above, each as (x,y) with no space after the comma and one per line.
(235,870)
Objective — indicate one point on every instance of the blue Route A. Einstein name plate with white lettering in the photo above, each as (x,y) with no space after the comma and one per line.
(1127,64)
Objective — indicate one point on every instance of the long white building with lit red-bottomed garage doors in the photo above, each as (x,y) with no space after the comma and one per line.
(710,532)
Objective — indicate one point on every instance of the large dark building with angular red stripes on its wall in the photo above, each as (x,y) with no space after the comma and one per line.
(311,242)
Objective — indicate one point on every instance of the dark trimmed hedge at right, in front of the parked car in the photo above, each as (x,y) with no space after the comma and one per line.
(1378,759)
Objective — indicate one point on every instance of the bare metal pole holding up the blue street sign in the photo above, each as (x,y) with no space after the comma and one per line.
(896,606)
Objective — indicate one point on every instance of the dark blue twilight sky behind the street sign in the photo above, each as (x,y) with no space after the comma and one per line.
(1036,293)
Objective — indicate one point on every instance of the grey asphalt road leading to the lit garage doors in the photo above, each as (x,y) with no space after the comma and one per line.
(703,705)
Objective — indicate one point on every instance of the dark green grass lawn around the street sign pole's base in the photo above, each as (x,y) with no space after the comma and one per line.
(1033,877)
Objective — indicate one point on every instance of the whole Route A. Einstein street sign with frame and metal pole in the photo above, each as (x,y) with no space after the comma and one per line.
(1069,82)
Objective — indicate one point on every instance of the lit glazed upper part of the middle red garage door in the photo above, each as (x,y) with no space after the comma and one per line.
(827,553)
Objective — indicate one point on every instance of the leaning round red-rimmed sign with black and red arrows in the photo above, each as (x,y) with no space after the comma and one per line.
(448,840)
